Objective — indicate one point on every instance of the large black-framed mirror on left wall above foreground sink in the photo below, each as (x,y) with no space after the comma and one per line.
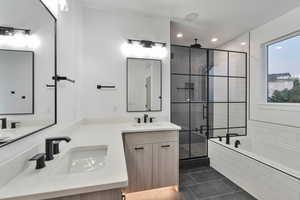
(28,61)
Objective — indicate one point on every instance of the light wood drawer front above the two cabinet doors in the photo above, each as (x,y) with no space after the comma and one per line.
(151,137)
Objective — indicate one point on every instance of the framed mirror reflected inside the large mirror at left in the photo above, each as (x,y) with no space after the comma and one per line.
(16,82)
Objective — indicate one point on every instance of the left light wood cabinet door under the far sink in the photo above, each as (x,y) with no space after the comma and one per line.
(139,163)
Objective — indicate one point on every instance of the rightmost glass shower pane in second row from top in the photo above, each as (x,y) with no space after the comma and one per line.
(237,90)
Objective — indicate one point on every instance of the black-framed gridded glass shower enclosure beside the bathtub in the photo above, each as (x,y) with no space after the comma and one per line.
(208,96)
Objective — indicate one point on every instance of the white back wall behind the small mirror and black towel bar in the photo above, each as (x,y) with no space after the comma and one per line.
(104,63)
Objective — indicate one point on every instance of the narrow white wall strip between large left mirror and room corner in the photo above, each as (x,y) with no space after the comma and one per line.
(69,60)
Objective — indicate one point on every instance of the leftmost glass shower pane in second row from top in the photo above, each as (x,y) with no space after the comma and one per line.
(181,88)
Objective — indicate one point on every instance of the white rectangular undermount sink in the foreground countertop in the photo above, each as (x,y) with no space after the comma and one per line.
(85,159)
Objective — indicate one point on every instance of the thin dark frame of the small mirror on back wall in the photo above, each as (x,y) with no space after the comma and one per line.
(127,85)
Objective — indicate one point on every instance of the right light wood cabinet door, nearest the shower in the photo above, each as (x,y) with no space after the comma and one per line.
(166,164)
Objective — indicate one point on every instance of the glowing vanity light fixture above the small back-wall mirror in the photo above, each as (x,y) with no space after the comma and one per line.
(144,48)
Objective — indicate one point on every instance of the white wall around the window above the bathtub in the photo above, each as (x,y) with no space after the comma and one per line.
(277,125)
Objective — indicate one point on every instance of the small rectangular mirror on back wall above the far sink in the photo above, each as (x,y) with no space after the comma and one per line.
(144,85)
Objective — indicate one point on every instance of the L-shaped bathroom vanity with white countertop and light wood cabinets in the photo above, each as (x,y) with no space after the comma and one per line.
(123,157)
